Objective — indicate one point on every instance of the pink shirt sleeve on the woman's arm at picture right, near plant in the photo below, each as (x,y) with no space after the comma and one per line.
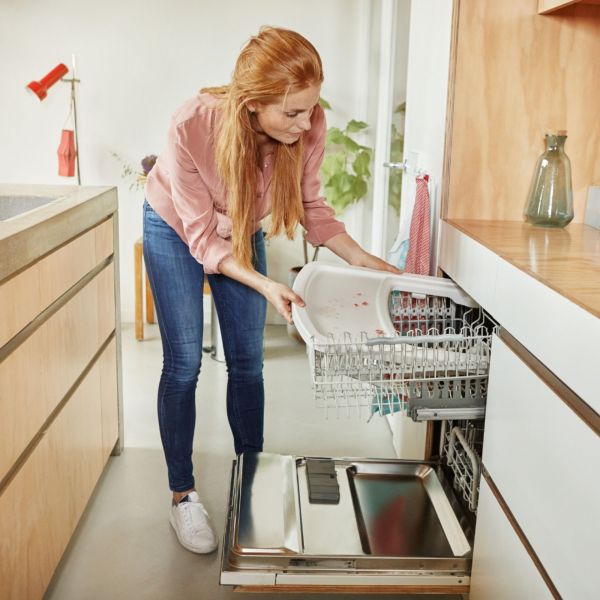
(319,218)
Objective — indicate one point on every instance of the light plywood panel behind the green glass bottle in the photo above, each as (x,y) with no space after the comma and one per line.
(515,76)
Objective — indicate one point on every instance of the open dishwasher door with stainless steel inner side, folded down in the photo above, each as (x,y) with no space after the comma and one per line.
(392,524)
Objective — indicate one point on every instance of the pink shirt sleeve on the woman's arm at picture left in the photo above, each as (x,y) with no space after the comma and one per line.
(193,203)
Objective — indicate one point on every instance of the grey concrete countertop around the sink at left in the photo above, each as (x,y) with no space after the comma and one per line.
(27,237)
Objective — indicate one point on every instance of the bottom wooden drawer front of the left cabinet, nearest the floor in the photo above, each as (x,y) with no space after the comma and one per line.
(43,503)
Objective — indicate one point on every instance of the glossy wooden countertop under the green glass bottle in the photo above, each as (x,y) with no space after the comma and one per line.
(566,260)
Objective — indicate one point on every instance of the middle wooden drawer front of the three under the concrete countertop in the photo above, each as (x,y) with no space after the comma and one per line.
(35,377)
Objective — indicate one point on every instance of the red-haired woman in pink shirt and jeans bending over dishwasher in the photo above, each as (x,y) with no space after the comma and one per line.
(234,154)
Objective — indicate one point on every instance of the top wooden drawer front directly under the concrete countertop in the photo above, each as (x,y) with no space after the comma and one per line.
(27,294)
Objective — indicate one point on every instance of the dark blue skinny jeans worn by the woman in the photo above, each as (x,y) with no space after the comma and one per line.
(177,279)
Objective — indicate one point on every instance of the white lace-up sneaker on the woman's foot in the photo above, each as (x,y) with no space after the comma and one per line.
(192,525)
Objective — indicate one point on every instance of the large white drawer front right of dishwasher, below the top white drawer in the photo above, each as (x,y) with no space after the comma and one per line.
(544,459)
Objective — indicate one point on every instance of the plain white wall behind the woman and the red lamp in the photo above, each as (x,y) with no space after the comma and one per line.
(137,62)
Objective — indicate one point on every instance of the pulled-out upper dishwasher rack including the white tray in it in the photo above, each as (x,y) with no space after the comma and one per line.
(393,343)
